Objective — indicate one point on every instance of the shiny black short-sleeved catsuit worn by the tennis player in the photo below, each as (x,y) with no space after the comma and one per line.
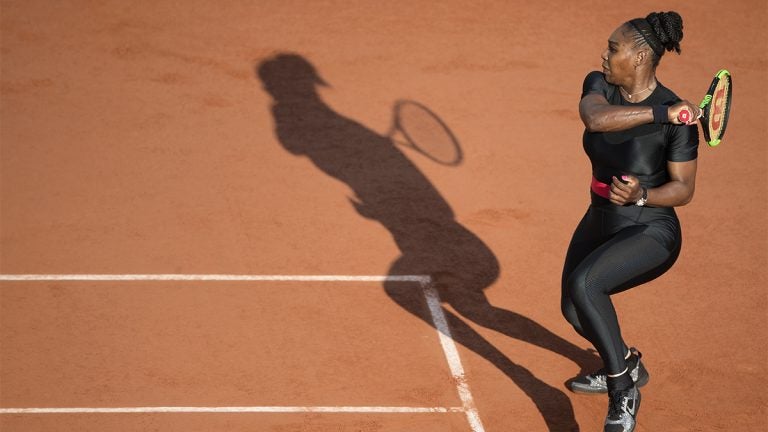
(617,247)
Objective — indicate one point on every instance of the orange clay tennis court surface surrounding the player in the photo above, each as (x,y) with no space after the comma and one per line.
(178,256)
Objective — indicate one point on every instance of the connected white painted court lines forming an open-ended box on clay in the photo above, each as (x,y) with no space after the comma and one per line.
(435,309)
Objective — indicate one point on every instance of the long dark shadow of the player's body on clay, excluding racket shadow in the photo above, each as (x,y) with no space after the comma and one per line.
(391,190)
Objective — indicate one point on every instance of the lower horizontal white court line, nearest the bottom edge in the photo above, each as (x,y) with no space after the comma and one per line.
(257,409)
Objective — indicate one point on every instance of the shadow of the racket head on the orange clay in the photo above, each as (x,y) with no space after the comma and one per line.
(419,128)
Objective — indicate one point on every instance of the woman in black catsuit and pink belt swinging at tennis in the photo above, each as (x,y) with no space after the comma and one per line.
(643,165)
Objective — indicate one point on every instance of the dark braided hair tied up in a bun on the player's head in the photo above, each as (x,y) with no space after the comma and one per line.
(660,31)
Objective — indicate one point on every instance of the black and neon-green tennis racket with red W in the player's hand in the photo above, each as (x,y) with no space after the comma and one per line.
(715,108)
